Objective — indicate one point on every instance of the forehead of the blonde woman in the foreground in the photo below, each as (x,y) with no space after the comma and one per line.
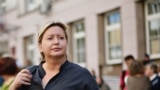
(54,30)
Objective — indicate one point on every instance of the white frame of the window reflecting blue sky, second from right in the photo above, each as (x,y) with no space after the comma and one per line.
(109,28)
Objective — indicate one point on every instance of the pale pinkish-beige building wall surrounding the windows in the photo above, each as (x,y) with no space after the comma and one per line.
(69,11)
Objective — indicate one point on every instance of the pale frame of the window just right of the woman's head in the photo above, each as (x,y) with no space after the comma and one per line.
(78,35)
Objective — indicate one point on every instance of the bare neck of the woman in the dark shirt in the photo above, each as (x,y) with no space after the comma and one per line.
(54,63)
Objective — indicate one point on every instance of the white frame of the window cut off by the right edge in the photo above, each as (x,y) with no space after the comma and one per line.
(149,18)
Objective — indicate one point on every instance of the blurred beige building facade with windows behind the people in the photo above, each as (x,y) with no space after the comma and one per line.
(101,33)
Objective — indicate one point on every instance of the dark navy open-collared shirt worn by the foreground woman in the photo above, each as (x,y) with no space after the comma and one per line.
(70,77)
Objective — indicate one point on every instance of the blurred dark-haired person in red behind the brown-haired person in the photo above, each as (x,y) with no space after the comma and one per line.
(125,73)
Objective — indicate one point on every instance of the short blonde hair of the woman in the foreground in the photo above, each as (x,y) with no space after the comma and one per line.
(47,26)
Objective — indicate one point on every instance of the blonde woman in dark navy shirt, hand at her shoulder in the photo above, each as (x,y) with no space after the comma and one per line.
(55,72)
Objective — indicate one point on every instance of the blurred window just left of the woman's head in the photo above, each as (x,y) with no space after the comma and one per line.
(29,48)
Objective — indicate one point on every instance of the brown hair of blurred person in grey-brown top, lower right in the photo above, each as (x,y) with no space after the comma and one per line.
(135,68)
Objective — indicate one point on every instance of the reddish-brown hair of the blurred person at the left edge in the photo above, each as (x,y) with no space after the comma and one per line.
(8,66)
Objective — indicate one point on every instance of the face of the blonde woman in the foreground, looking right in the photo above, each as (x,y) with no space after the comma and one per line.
(54,42)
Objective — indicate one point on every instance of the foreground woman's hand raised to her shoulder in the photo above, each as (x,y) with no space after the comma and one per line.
(23,78)
